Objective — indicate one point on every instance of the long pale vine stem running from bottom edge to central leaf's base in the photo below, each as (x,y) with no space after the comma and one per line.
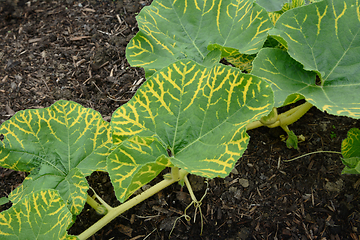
(176,175)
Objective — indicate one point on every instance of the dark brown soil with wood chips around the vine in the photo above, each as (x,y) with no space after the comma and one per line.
(75,50)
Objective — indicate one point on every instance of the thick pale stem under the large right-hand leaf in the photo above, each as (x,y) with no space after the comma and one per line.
(286,118)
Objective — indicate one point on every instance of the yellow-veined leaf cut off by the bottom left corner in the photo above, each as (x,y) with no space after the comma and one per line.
(39,215)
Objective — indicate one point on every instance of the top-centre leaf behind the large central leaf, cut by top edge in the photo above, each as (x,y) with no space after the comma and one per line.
(174,30)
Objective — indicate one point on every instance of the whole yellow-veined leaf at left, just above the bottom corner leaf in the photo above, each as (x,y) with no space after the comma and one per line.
(59,145)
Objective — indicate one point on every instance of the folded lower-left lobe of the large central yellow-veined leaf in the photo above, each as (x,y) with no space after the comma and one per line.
(135,162)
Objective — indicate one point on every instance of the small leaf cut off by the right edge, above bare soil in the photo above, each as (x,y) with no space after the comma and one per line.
(350,149)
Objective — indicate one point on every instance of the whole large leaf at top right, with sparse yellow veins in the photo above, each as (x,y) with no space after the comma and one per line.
(324,38)
